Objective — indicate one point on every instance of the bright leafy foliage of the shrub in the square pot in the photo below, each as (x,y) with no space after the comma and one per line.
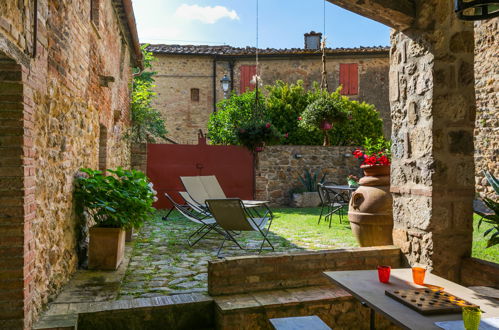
(121,200)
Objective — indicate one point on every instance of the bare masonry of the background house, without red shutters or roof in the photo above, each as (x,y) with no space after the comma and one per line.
(178,74)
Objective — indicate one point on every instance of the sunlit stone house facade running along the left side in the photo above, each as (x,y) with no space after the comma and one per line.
(65,74)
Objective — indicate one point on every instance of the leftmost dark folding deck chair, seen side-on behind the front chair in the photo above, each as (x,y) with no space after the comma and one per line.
(201,218)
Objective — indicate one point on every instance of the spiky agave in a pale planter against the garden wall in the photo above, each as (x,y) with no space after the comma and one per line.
(306,195)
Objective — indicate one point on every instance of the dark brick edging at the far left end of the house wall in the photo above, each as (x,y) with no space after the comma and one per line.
(14,217)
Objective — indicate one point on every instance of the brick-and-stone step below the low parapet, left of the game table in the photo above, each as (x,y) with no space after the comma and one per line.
(336,307)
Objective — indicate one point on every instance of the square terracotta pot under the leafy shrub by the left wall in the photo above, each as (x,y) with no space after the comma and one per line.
(106,248)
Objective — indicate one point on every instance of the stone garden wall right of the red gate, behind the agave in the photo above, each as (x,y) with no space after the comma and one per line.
(279,168)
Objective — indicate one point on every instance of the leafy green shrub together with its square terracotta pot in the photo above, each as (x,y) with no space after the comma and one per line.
(115,202)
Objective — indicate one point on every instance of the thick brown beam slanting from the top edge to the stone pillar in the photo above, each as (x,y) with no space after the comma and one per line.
(398,14)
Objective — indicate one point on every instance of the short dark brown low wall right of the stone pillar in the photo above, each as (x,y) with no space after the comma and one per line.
(476,272)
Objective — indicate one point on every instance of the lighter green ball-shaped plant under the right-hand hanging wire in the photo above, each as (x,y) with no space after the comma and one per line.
(323,113)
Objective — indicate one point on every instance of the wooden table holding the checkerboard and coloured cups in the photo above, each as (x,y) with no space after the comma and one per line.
(365,286)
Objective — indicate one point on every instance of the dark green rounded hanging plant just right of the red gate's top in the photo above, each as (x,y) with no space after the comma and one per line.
(255,134)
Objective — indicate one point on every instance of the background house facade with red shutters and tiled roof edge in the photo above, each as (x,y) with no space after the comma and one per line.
(188,81)
